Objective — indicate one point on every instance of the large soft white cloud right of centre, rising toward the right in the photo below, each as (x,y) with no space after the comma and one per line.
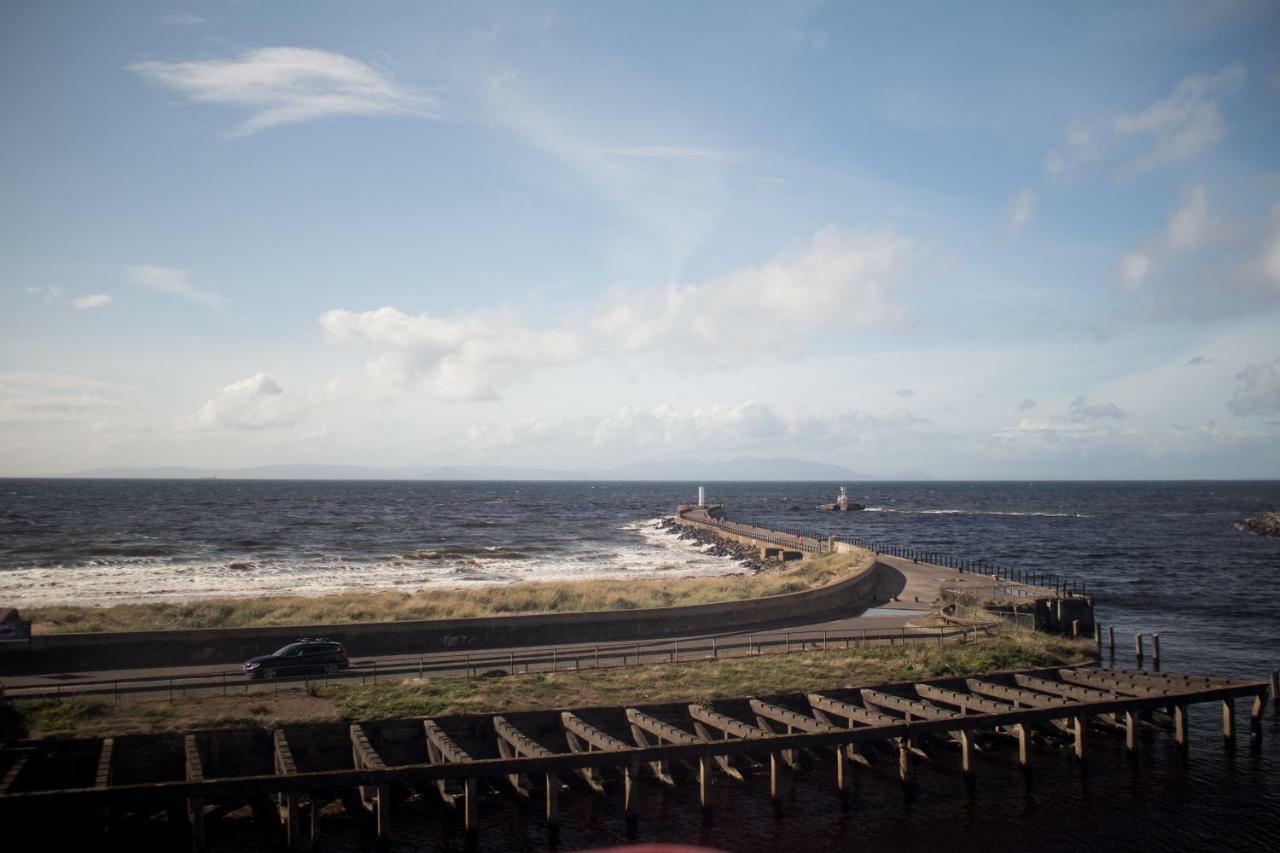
(845,279)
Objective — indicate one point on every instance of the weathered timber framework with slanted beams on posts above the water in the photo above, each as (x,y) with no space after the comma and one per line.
(289,773)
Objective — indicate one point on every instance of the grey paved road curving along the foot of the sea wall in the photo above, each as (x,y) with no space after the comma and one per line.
(904,591)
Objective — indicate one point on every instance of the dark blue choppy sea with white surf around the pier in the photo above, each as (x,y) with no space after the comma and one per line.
(1162,558)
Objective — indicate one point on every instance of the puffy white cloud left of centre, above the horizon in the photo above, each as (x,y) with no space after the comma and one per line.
(465,358)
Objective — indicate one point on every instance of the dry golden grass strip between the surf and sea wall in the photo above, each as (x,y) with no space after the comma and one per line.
(449,604)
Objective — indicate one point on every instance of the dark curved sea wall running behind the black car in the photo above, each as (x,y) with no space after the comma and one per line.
(66,653)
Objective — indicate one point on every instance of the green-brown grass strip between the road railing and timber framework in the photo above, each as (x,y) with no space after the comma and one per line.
(701,682)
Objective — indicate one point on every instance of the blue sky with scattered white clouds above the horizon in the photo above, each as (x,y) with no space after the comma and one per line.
(998,241)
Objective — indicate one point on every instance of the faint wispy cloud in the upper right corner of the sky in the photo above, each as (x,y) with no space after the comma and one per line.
(1173,130)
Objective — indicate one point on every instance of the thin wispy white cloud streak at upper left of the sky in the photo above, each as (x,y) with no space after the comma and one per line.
(291,85)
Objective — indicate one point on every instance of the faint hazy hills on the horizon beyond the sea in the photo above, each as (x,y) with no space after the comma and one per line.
(740,469)
